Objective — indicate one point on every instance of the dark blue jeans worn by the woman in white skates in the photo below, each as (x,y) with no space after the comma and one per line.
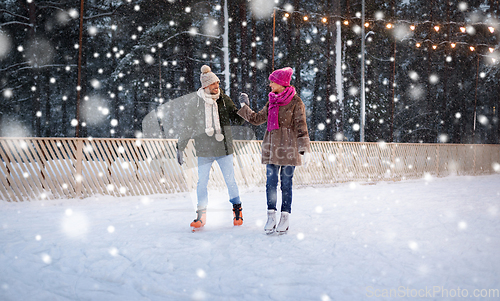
(286,176)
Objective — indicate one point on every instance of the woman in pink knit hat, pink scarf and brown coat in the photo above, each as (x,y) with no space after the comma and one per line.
(286,137)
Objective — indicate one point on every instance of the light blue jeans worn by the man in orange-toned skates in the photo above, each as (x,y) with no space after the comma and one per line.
(226,166)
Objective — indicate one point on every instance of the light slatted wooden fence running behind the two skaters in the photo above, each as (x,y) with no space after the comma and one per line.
(52,168)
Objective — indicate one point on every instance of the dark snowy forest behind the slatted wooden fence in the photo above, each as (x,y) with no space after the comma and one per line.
(423,84)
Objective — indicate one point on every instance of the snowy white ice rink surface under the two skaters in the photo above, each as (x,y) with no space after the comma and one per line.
(430,239)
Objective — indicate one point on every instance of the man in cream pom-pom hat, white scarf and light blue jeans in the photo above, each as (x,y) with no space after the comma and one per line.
(209,115)
